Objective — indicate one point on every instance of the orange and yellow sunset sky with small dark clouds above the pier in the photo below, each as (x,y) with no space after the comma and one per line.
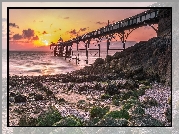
(36,28)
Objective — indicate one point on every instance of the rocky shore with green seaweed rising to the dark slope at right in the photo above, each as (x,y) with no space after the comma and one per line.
(130,88)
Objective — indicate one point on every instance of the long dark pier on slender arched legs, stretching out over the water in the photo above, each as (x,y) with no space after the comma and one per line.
(64,48)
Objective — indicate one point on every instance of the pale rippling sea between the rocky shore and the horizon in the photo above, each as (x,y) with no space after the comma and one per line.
(45,63)
